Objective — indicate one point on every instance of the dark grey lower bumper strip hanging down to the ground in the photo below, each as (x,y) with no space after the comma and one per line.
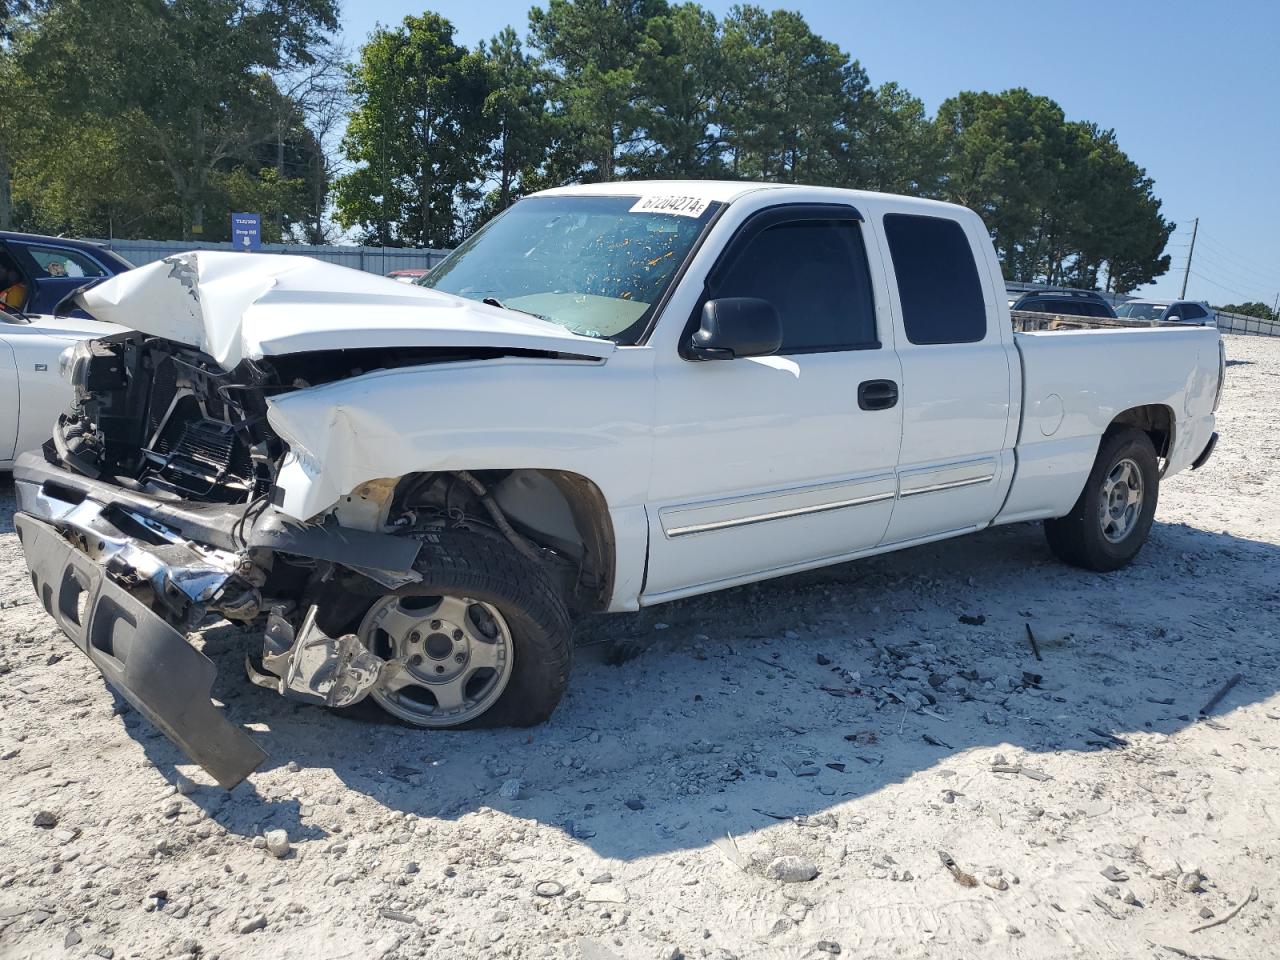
(144,659)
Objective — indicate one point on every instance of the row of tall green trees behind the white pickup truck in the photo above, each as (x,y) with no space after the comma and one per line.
(159,117)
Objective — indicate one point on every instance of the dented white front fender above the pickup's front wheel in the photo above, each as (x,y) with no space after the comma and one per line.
(587,418)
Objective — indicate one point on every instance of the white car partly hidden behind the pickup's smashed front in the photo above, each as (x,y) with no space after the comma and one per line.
(33,395)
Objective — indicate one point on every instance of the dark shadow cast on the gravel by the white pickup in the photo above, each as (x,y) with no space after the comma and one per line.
(706,730)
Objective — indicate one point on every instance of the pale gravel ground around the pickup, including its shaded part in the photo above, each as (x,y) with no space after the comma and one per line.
(865,761)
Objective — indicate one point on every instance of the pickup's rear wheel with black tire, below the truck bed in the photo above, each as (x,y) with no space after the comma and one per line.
(1098,534)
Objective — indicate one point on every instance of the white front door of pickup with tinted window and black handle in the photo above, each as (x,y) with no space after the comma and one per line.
(765,465)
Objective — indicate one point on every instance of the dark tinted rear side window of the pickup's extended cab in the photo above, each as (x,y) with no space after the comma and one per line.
(939,285)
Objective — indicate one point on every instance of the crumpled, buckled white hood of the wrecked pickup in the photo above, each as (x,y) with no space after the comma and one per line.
(236,307)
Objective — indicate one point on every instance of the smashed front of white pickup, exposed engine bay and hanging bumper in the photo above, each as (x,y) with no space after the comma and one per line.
(149,514)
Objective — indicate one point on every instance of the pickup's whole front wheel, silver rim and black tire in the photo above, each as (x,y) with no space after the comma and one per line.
(483,641)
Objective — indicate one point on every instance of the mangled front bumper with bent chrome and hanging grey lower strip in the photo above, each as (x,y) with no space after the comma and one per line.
(104,560)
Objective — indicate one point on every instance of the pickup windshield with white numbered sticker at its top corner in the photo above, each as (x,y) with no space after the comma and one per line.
(595,266)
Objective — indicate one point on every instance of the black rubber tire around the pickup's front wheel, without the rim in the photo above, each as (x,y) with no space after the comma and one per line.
(491,573)
